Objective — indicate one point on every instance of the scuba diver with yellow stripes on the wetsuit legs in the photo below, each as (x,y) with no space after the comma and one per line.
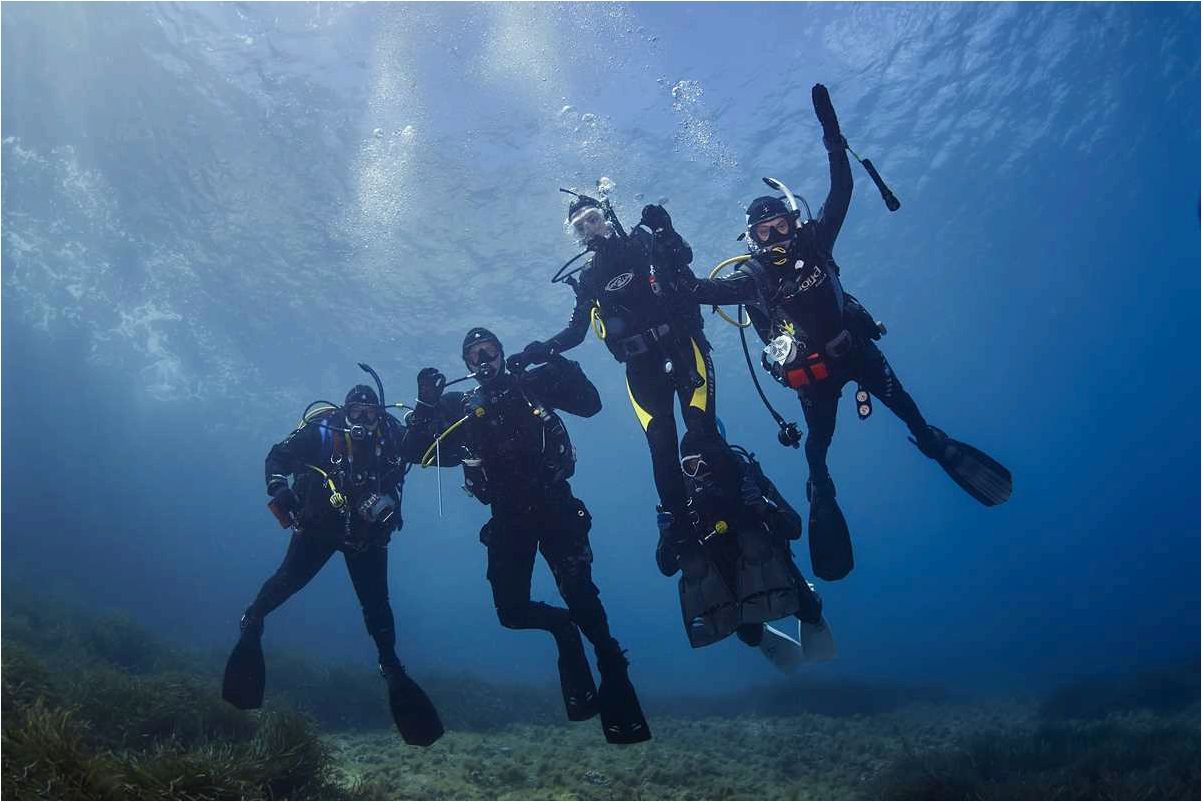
(629,292)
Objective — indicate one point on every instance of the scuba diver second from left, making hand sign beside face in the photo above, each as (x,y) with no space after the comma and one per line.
(517,458)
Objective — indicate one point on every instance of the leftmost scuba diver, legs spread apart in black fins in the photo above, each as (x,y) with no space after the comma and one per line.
(348,466)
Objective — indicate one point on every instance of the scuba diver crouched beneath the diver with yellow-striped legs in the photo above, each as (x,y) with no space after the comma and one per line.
(741,574)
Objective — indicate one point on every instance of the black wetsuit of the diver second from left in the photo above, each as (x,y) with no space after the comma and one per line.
(519,462)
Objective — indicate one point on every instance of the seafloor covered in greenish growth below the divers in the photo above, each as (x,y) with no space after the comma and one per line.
(99,709)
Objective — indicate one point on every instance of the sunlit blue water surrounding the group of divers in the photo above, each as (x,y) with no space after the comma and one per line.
(212,212)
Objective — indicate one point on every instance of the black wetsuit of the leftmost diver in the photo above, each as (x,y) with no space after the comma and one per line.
(359,471)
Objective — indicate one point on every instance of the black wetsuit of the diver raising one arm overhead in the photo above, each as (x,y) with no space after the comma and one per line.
(808,295)
